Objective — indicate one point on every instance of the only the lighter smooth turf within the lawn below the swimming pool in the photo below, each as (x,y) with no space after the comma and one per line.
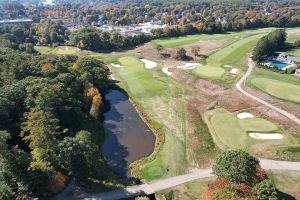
(279,89)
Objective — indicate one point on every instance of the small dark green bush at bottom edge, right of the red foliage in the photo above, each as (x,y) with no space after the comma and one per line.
(265,191)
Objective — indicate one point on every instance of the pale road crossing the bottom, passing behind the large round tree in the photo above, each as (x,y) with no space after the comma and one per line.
(152,187)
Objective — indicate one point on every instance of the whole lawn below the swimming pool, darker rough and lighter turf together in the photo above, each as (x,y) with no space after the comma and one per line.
(282,86)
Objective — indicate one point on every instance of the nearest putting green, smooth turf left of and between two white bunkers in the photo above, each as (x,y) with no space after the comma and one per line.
(232,132)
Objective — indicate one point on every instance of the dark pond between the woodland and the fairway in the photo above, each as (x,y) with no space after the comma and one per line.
(128,138)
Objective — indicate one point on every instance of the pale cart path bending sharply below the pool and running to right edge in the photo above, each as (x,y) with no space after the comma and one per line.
(242,80)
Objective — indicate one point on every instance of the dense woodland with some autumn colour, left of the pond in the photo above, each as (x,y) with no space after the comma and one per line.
(48,105)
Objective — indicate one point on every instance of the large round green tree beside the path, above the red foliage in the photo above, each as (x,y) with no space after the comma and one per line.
(236,166)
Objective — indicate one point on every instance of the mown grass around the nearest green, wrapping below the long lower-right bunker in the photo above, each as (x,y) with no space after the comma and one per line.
(232,133)
